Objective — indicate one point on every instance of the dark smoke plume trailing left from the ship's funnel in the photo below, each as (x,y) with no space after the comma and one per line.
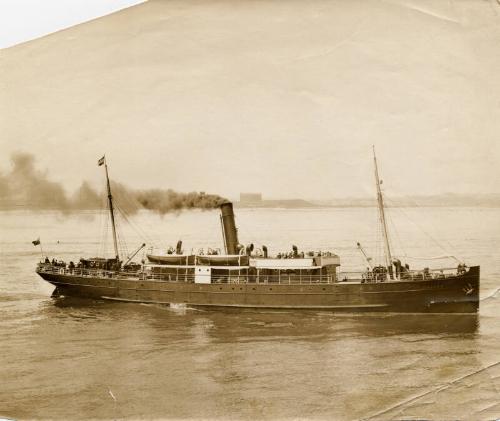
(27,187)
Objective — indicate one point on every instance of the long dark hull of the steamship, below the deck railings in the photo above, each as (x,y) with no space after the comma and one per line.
(455,294)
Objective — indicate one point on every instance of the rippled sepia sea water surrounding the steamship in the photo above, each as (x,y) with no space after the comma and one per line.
(71,358)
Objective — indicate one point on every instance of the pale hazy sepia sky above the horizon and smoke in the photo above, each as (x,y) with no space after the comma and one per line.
(284,98)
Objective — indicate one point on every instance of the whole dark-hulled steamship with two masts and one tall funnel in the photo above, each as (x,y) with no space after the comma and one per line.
(245,277)
